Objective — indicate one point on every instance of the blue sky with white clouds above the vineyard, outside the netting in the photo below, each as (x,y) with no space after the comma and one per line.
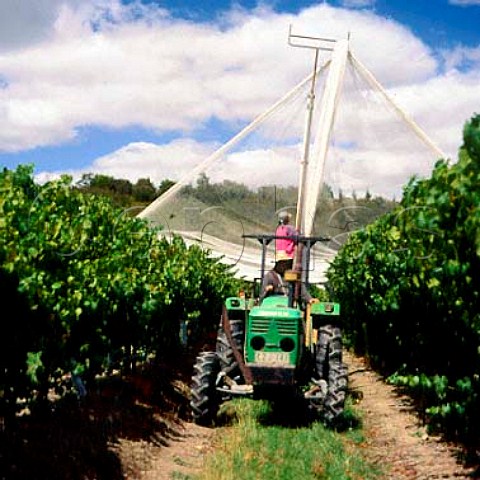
(109,87)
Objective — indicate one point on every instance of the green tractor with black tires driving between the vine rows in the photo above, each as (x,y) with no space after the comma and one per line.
(267,349)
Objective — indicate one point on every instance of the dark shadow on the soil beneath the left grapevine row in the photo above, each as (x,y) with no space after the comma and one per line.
(82,440)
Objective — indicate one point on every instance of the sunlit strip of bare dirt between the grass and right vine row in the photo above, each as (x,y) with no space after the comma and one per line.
(396,439)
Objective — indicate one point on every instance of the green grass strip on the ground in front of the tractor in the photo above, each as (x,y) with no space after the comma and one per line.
(256,447)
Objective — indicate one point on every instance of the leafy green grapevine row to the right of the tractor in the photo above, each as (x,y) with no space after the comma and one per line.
(410,286)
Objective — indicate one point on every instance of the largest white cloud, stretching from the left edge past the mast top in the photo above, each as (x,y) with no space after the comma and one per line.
(102,65)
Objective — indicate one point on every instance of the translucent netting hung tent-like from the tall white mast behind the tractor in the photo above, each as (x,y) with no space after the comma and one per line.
(241,187)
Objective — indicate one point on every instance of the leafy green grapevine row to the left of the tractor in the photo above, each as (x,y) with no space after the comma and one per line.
(86,288)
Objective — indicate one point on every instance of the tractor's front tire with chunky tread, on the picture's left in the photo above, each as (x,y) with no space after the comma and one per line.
(204,400)
